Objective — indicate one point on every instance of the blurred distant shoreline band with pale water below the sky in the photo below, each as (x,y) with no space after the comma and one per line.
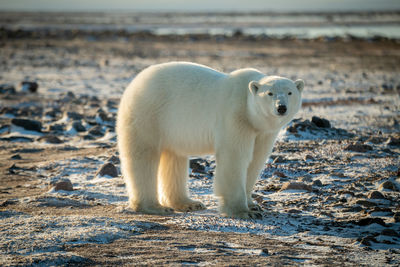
(261,25)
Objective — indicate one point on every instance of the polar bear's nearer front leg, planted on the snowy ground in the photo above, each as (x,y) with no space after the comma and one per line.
(230,182)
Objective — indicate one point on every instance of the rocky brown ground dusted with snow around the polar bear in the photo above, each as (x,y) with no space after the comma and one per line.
(330,191)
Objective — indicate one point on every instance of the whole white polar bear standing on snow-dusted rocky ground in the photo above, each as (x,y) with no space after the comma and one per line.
(174,110)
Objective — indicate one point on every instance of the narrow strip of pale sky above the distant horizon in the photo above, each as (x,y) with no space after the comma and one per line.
(195,5)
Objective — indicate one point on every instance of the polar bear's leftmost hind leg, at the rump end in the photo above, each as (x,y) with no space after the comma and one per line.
(139,168)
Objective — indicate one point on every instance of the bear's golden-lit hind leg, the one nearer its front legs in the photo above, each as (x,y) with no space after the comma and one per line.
(173,183)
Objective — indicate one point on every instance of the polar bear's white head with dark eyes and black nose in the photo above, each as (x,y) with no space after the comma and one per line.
(276,98)
